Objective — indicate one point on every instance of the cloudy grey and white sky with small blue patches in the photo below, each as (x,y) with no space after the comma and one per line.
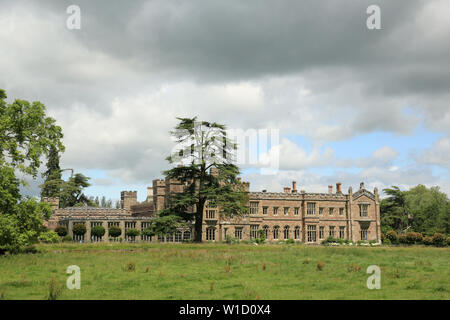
(351,104)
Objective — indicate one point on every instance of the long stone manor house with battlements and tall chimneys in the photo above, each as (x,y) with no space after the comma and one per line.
(291,214)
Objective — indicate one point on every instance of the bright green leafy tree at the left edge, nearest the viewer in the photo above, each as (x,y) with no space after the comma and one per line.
(27,135)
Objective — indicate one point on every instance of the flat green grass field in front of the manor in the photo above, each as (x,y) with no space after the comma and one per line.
(220,271)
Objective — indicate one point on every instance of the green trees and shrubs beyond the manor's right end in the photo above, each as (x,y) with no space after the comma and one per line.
(420,209)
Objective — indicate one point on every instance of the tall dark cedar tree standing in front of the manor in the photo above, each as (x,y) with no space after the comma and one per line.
(204,166)
